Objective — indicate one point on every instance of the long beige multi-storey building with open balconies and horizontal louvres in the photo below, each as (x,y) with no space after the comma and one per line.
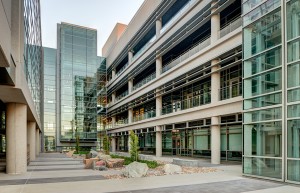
(175,79)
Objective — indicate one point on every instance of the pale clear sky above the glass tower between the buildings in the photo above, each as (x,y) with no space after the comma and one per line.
(98,14)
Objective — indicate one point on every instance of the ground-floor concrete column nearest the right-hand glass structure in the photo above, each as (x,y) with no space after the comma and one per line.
(215,141)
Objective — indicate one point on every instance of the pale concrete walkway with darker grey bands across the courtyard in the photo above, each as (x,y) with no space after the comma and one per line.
(55,173)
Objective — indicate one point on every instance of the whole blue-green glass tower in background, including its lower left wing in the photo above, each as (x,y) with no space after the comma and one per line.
(70,89)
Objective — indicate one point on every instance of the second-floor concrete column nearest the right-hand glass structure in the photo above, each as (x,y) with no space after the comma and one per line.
(215,82)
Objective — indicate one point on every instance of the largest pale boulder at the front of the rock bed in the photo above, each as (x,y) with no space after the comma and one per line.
(135,170)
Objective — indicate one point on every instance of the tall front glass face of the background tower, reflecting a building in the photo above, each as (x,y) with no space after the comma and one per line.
(78,84)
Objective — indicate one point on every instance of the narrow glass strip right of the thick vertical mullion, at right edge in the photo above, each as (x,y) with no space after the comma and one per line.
(293,90)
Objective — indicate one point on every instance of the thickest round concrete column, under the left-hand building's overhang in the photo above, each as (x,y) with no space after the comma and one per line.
(16,139)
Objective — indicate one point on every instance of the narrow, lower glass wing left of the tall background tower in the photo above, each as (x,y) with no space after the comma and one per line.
(49,99)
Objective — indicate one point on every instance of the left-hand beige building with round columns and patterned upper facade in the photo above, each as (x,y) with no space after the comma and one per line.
(20,83)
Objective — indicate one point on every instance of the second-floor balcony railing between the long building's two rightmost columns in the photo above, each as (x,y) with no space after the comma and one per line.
(187,104)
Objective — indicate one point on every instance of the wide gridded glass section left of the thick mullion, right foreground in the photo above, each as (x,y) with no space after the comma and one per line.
(263,90)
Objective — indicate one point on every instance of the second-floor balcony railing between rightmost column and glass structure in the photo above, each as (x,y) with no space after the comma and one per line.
(231,91)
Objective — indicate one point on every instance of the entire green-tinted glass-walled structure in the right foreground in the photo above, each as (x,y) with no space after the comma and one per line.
(271,39)
